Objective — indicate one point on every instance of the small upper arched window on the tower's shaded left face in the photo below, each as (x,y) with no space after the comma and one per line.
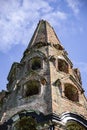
(36,63)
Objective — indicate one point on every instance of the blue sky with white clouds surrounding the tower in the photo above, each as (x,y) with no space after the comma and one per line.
(19,18)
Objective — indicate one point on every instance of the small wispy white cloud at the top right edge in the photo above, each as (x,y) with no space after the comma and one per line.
(74,5)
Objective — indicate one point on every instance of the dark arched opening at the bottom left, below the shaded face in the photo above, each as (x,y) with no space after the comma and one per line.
(26,123)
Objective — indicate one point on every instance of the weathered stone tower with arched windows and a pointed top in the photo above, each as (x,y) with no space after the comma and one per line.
(44,91)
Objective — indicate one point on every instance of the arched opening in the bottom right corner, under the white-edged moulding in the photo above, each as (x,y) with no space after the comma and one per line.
(72,125)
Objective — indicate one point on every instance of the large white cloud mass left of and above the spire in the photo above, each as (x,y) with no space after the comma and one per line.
(18,19)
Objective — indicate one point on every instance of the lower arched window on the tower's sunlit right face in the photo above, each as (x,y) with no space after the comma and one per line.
(71,92)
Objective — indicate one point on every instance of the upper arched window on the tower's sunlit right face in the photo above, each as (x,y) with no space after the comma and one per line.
(62,66)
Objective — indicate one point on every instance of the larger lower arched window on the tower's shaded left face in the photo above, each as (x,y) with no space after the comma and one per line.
(31,88)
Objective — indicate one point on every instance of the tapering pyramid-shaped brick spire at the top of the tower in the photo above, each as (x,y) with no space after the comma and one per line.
(44,33)
